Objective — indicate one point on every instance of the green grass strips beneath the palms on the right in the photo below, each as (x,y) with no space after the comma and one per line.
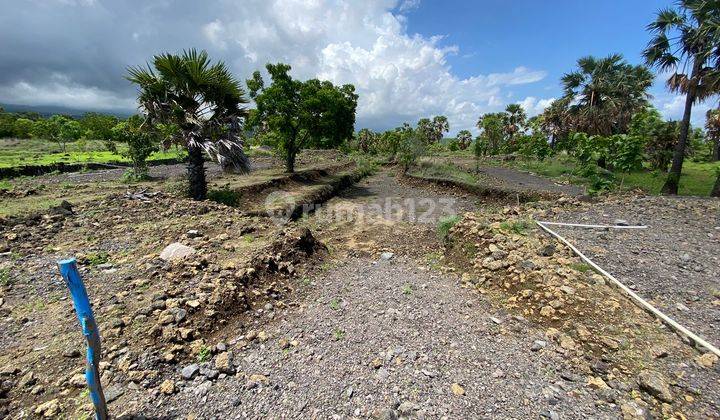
(697,178)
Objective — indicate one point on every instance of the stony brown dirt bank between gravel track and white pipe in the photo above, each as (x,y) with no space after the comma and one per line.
(608,338)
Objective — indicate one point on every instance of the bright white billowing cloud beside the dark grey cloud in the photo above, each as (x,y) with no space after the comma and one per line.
(399,76)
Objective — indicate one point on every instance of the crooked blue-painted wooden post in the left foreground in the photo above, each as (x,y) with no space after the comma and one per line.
(71,275)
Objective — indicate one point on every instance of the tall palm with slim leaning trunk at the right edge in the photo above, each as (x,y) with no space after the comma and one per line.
(684,39)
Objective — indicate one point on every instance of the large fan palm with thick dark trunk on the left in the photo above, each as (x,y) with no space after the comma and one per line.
(204,101)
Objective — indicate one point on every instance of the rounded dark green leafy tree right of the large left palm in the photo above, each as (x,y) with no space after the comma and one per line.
(302,113)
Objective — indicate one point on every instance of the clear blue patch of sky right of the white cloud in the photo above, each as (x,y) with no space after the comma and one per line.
(546,35)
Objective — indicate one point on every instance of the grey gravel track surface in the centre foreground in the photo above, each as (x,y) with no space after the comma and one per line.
(387,338)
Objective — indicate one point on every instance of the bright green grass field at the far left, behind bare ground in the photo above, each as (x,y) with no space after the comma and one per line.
(38,152)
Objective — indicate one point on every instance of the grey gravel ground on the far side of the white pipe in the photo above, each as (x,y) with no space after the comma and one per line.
(675,262)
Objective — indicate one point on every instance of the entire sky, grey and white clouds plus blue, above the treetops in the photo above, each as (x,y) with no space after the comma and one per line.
(408,59)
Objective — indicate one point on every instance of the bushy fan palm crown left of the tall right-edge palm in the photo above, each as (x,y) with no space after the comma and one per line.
(606,93)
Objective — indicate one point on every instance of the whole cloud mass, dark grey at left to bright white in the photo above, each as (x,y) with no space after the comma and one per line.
(74,53)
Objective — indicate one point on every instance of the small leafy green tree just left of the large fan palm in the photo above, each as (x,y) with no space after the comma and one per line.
(142,141)
